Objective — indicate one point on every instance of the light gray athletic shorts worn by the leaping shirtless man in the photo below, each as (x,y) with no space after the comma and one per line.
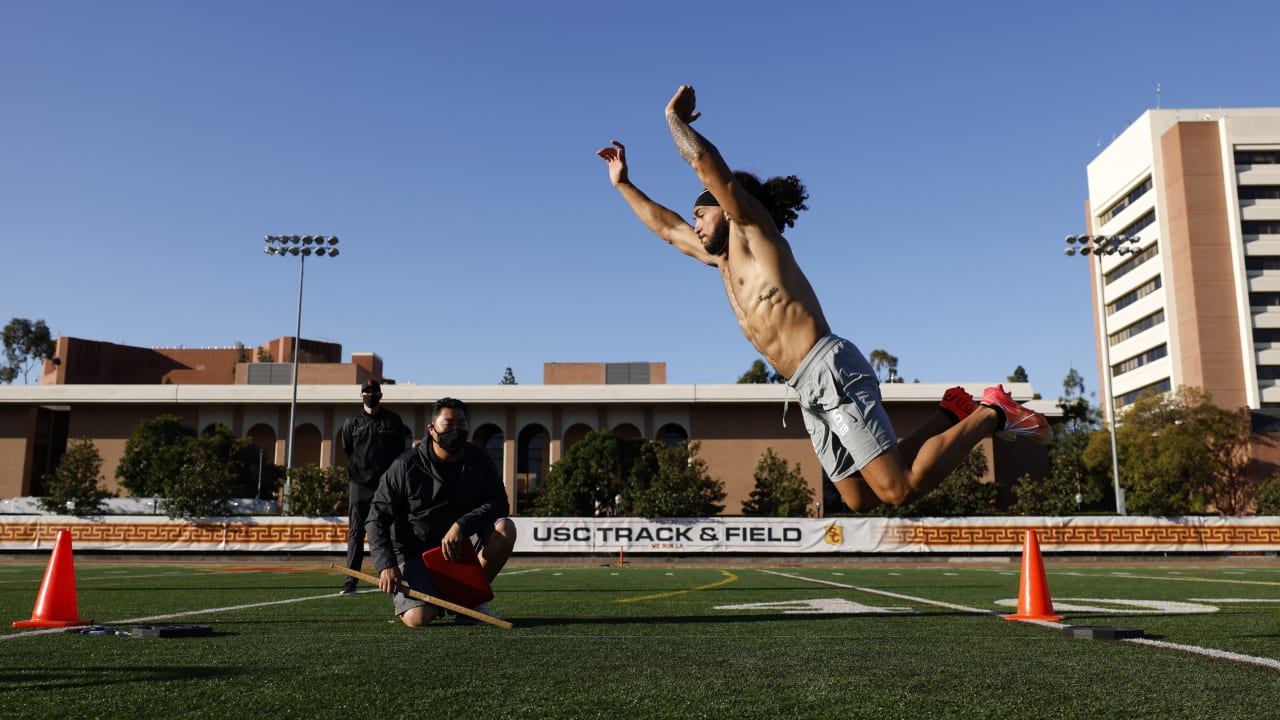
(842,405)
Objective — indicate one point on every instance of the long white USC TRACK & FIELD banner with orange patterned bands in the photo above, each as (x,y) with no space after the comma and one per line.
(678,536)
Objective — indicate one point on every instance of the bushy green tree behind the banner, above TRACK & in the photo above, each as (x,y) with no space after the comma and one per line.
(673,482)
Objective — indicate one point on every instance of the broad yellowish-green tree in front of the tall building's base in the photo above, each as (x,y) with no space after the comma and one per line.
(1181,454)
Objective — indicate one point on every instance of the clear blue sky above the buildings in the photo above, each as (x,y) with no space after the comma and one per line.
(149,147)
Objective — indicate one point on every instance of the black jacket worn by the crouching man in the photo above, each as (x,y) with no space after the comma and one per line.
(415,505)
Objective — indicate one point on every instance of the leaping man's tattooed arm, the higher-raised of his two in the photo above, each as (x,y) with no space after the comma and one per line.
(707,162)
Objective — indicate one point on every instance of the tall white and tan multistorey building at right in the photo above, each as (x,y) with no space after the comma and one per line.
(1199,303)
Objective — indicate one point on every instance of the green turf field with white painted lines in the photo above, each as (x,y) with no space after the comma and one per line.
(647,641)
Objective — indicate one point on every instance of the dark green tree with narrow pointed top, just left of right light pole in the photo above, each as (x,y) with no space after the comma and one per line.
(1072,486)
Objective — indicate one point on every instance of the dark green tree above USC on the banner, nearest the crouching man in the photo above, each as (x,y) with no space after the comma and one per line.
(588,479)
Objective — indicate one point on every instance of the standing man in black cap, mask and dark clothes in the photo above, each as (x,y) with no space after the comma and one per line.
(373,440)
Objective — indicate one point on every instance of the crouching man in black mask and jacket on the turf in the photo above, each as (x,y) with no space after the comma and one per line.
(445,493)
